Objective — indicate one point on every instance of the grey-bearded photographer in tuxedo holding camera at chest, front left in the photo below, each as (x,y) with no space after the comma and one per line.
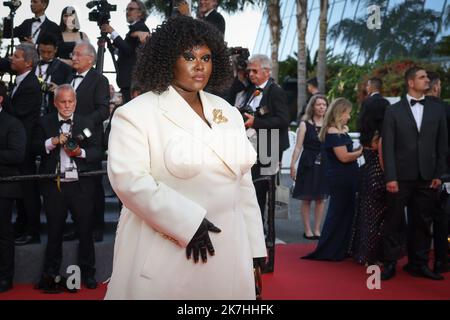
(68,191)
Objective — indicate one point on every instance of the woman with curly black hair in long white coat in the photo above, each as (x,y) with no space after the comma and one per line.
(180,161)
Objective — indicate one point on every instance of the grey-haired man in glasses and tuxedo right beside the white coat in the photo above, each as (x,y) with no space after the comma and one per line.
(270,119)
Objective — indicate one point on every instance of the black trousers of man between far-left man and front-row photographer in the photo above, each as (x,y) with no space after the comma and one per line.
(29,207)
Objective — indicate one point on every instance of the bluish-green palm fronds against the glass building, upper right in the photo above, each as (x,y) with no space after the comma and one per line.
(408,29)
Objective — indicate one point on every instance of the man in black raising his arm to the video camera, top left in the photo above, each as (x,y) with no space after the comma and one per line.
(136,16)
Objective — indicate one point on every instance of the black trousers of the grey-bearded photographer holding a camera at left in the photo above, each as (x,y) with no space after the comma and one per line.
(78,198)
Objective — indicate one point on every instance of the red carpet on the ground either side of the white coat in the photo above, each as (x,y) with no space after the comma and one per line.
(296,279)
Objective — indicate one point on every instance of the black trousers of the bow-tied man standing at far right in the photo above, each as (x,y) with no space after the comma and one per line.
(420,201)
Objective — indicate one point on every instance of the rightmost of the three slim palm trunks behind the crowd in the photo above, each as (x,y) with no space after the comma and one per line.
(322,52)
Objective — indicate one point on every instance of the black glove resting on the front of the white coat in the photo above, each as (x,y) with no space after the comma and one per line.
(201,242)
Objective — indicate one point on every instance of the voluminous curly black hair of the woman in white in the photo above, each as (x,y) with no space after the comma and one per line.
(156,59)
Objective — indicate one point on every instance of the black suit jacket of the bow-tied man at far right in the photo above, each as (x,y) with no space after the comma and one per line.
(409,154)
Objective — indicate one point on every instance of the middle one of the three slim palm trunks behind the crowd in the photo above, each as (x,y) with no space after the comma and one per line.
(302,23)
